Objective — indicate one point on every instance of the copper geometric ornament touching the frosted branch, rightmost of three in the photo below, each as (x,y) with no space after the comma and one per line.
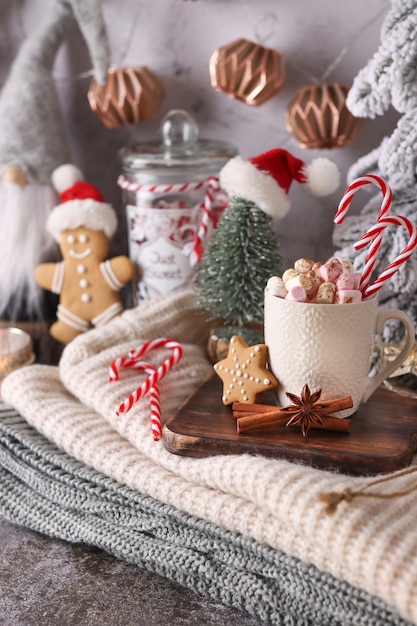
(318,117)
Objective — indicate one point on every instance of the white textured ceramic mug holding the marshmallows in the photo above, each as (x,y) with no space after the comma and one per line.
(329,347)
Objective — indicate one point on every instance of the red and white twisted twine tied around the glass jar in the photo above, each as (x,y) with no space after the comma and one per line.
(211,196)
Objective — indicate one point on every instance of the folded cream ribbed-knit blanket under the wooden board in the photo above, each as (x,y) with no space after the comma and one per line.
(370,543)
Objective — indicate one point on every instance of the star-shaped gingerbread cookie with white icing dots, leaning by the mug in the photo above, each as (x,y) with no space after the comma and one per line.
(244,372)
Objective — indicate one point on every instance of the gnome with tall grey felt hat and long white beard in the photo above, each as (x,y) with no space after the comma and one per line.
(32,144)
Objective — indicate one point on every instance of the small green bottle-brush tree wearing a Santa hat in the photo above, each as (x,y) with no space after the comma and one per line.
(244,250)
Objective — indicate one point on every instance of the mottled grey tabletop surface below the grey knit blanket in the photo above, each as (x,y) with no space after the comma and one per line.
(48,582)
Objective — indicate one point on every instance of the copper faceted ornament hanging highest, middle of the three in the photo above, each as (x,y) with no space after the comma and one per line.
(247,71)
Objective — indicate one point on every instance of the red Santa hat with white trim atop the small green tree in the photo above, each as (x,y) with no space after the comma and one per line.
(266,179)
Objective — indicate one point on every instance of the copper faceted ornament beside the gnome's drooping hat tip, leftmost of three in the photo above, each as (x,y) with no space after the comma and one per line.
(130,95)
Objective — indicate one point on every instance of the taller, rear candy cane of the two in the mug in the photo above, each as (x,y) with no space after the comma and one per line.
(385,209)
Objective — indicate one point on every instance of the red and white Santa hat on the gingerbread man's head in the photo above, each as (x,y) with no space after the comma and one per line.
(81,205)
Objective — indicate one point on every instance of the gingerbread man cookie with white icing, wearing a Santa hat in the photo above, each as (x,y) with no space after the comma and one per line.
(86,282)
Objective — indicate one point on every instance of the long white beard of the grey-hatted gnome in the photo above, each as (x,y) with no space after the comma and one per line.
(24,242)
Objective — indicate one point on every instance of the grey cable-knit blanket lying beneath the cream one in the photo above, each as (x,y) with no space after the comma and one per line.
(47,490)
